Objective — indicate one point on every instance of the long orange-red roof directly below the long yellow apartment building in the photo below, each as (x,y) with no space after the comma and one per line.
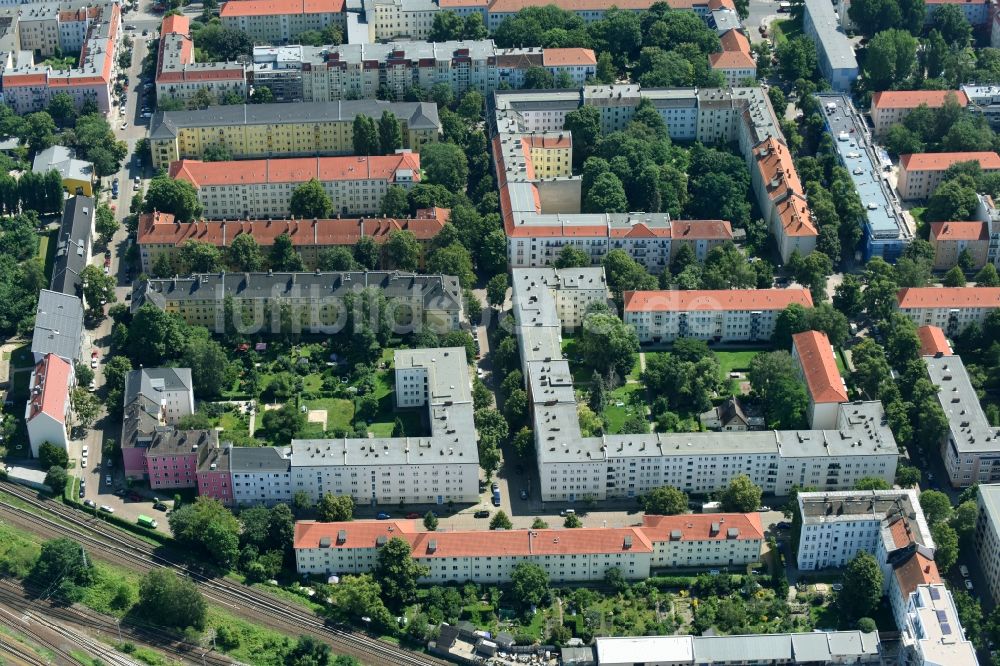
(294,170)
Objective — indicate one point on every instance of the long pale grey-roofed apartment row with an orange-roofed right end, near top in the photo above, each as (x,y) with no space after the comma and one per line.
(367,70)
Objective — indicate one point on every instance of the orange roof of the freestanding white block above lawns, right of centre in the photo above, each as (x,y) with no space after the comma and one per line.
(715,299)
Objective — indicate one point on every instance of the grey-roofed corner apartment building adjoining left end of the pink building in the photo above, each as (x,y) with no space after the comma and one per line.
(155,400)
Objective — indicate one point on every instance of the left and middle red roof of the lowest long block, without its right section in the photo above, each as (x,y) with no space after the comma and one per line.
(474,543)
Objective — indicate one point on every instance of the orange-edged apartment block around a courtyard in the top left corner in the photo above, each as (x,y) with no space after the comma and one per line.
(43,28)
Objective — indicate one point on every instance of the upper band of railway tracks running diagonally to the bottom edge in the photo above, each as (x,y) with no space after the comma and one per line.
(254,605)
